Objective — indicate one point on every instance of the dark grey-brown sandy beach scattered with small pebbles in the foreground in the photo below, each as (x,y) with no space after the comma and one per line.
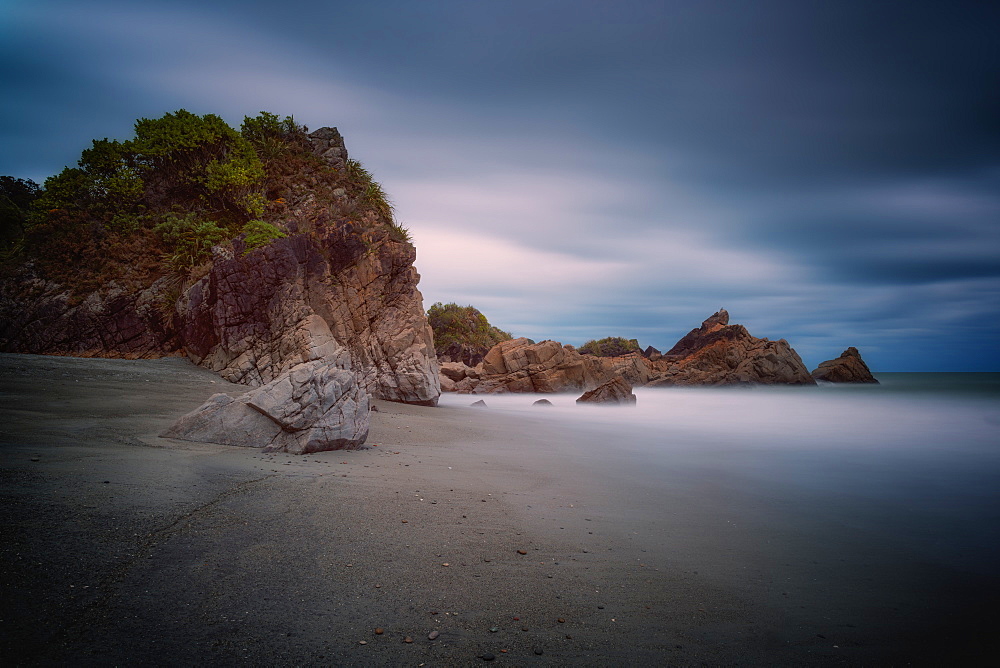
(123,548)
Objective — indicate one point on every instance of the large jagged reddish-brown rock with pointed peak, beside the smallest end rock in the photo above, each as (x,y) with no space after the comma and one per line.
(718,353)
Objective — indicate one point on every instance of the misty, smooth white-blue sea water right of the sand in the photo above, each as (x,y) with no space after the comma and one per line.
(873,509)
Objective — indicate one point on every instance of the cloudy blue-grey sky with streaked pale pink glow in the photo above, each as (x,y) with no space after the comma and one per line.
(828,172)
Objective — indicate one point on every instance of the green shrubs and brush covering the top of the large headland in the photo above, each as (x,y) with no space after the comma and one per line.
(157,203)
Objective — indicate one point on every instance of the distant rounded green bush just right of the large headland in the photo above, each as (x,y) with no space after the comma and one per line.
(462,333)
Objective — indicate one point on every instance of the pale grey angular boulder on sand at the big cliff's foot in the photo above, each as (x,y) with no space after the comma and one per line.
(316,406)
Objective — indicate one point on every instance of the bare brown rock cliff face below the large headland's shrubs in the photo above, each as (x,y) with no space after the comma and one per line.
(337,283)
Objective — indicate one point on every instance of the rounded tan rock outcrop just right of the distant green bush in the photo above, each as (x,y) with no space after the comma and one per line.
(521,365)
